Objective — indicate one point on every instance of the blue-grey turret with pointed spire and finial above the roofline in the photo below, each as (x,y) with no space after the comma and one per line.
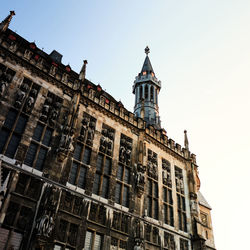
(146,89)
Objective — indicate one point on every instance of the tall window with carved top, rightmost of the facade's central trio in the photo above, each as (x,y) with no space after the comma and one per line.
(123,172)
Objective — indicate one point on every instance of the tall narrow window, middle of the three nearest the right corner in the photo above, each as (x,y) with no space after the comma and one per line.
(167,193)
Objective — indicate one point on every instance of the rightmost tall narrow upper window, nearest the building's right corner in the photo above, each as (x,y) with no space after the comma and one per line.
(181,203)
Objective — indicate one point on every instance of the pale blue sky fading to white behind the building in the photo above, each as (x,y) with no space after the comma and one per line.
(199,49)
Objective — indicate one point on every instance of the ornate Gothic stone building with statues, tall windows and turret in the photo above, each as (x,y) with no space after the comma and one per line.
(80,171)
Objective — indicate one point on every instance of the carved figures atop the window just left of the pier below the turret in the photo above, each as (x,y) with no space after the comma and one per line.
(125,150)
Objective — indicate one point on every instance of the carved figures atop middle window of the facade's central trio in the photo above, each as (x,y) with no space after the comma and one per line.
(107,141)
